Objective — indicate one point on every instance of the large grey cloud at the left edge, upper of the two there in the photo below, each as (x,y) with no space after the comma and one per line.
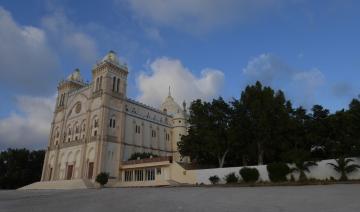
(25,57)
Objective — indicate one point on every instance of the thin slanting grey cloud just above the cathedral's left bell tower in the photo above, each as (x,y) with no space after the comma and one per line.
(69,37)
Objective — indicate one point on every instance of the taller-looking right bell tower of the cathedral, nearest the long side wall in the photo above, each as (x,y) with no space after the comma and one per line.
(109,81)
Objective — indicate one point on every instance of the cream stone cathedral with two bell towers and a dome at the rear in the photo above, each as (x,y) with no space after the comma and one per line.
(96,128)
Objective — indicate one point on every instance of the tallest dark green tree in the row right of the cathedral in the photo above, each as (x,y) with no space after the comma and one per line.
(266,113)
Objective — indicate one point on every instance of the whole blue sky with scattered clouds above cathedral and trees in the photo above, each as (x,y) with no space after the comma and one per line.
(200,48)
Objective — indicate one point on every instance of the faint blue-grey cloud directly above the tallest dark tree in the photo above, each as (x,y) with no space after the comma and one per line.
(301,85)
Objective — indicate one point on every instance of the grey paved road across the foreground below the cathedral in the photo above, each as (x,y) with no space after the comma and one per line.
(341,198)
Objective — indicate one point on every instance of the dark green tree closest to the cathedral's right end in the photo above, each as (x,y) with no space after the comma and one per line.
(208,137)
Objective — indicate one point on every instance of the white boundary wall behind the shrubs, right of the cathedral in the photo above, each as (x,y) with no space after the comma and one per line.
(322,171)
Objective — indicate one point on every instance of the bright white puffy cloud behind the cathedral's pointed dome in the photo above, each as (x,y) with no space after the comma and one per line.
(184,85)
